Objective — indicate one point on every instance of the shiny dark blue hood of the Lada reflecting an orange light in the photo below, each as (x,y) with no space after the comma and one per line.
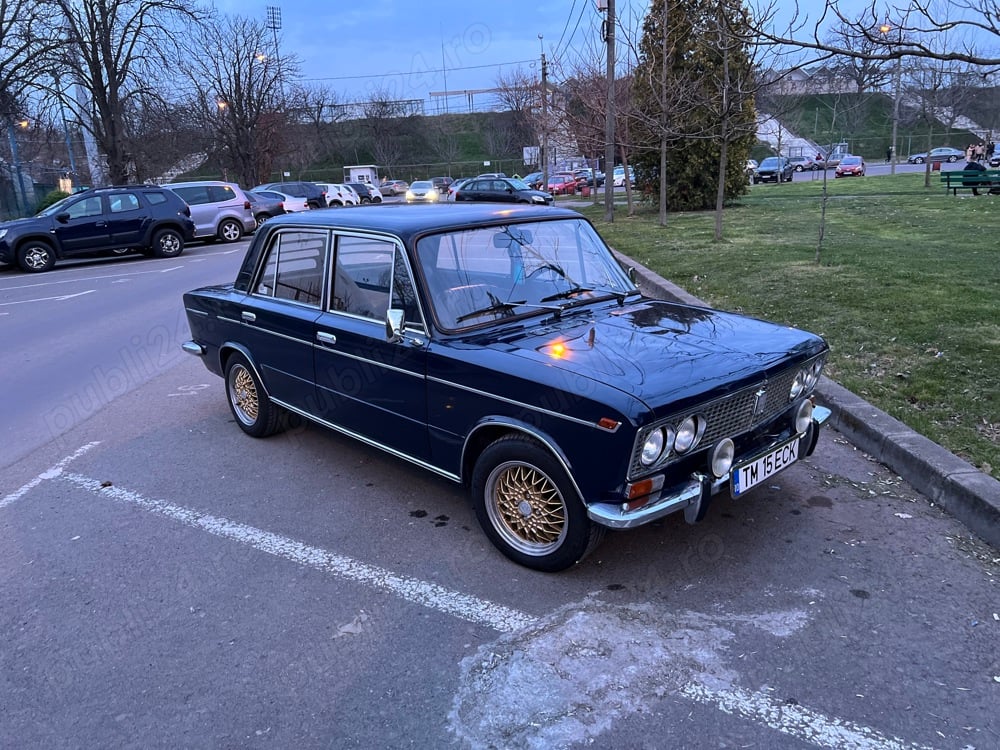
(666,354)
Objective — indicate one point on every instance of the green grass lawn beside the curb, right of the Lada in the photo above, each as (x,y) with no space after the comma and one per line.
(906,291)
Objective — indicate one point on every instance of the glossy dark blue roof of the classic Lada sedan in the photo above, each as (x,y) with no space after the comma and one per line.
(406,221)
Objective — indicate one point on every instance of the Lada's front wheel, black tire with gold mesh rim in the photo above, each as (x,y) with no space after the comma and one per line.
(528,508)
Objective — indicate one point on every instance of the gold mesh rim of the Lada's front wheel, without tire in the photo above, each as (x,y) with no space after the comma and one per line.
(526,508)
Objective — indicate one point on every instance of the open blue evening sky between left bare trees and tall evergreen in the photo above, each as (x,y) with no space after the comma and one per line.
(410,48)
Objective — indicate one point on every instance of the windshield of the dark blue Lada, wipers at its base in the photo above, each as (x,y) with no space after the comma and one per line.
(480,275)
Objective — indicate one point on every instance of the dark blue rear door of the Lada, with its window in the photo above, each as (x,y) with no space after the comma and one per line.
(278,316)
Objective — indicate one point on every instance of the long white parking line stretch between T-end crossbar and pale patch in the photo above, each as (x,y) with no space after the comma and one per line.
(463,606)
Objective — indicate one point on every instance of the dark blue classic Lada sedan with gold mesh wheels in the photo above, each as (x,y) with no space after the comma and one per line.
(505,348)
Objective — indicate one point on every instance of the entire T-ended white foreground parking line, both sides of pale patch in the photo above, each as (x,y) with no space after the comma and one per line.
(792,720)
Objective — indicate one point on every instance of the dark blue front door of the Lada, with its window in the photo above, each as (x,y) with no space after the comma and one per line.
(367,385)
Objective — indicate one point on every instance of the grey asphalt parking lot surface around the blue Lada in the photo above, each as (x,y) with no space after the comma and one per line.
(168,581)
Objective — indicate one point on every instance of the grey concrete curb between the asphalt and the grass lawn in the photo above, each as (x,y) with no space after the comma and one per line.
(956,485)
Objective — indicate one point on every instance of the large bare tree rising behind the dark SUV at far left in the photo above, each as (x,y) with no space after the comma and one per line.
(116,51)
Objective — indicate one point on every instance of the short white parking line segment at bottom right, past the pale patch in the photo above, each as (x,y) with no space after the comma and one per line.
(797,721)
